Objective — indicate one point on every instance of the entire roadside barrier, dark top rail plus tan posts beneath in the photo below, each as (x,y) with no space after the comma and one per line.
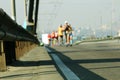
(14,40)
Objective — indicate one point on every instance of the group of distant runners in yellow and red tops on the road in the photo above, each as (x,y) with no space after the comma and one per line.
(62,36)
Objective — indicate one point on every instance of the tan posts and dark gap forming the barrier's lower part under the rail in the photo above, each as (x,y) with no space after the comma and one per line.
(12,51)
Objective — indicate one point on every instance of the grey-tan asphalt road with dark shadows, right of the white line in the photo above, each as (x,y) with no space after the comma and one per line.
(91,60)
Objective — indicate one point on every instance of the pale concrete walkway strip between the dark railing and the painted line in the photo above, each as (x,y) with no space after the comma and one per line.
(35,65)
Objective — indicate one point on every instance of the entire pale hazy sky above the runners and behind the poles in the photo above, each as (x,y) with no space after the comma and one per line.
(79,13)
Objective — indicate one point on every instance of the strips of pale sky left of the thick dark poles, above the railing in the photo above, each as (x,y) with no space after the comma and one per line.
(20,15)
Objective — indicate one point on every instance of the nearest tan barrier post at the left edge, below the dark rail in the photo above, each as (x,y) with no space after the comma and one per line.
(2,58)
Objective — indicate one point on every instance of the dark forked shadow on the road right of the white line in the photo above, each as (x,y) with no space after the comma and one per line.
(82,72)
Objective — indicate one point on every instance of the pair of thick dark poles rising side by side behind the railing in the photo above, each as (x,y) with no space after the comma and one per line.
(32,23)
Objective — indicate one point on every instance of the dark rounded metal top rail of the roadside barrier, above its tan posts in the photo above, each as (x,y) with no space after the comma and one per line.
(11,31)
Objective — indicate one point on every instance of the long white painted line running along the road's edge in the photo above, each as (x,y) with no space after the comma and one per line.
(65,70)
